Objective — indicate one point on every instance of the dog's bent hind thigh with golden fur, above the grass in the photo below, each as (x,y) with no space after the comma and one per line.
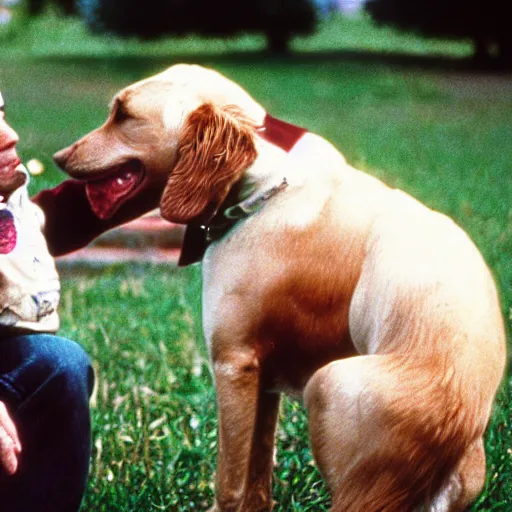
(400,429)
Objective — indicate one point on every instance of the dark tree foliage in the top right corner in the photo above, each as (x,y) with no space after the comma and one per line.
(486,23)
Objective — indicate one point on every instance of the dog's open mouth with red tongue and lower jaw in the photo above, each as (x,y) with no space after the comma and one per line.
(117,185)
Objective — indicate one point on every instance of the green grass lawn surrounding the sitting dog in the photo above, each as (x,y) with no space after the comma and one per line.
(408,111)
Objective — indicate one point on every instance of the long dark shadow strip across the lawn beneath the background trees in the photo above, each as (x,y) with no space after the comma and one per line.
(244,58)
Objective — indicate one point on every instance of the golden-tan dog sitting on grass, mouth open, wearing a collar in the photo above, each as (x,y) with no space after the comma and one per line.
(320,281)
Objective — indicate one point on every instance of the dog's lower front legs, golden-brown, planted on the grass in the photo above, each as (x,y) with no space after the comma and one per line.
(247,423)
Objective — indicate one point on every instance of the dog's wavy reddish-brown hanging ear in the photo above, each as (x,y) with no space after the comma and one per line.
(216,147)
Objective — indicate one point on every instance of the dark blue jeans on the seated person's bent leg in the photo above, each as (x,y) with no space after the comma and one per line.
(45,382)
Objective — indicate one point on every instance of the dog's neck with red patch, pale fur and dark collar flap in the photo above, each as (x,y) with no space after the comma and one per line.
(263,180)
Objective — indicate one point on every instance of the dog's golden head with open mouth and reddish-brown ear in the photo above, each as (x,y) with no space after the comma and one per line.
(188,131)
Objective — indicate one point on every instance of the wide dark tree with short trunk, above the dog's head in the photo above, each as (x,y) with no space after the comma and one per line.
(279,20)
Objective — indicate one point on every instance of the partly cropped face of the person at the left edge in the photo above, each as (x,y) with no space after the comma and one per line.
(10,177)
